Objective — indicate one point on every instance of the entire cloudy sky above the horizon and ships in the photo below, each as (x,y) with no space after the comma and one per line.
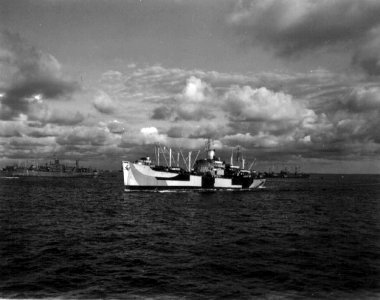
(291,82)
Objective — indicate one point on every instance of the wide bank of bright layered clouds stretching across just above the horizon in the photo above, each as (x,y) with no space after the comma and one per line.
(318,114)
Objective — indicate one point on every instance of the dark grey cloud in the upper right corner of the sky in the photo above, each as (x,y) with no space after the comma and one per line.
(292,26)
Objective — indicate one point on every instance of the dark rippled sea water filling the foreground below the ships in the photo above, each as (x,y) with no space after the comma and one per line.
(313,238)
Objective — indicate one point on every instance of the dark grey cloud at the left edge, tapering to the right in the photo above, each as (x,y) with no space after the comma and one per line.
(27,73)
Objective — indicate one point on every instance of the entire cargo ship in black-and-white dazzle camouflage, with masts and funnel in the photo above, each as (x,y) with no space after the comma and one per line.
(209,173)
